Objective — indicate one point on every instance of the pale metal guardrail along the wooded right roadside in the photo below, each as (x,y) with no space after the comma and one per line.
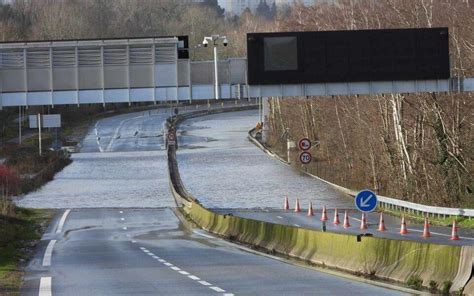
(387,203)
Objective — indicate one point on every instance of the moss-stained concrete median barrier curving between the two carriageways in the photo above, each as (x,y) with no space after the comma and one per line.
(388,259)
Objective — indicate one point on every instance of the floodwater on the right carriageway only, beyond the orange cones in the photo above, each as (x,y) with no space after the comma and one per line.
(228,171)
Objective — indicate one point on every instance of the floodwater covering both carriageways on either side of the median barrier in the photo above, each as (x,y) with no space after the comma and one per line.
(218,165)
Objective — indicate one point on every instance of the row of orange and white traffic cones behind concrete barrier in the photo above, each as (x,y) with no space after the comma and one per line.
(363,222)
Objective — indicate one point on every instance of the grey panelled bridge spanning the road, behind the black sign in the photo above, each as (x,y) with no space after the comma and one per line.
(156,70)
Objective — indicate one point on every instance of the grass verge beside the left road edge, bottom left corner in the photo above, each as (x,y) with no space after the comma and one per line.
(19,234)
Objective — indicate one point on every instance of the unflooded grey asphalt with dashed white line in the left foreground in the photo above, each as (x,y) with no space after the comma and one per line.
(149,252)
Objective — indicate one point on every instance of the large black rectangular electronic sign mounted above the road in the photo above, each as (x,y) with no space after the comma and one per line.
(348,56)
